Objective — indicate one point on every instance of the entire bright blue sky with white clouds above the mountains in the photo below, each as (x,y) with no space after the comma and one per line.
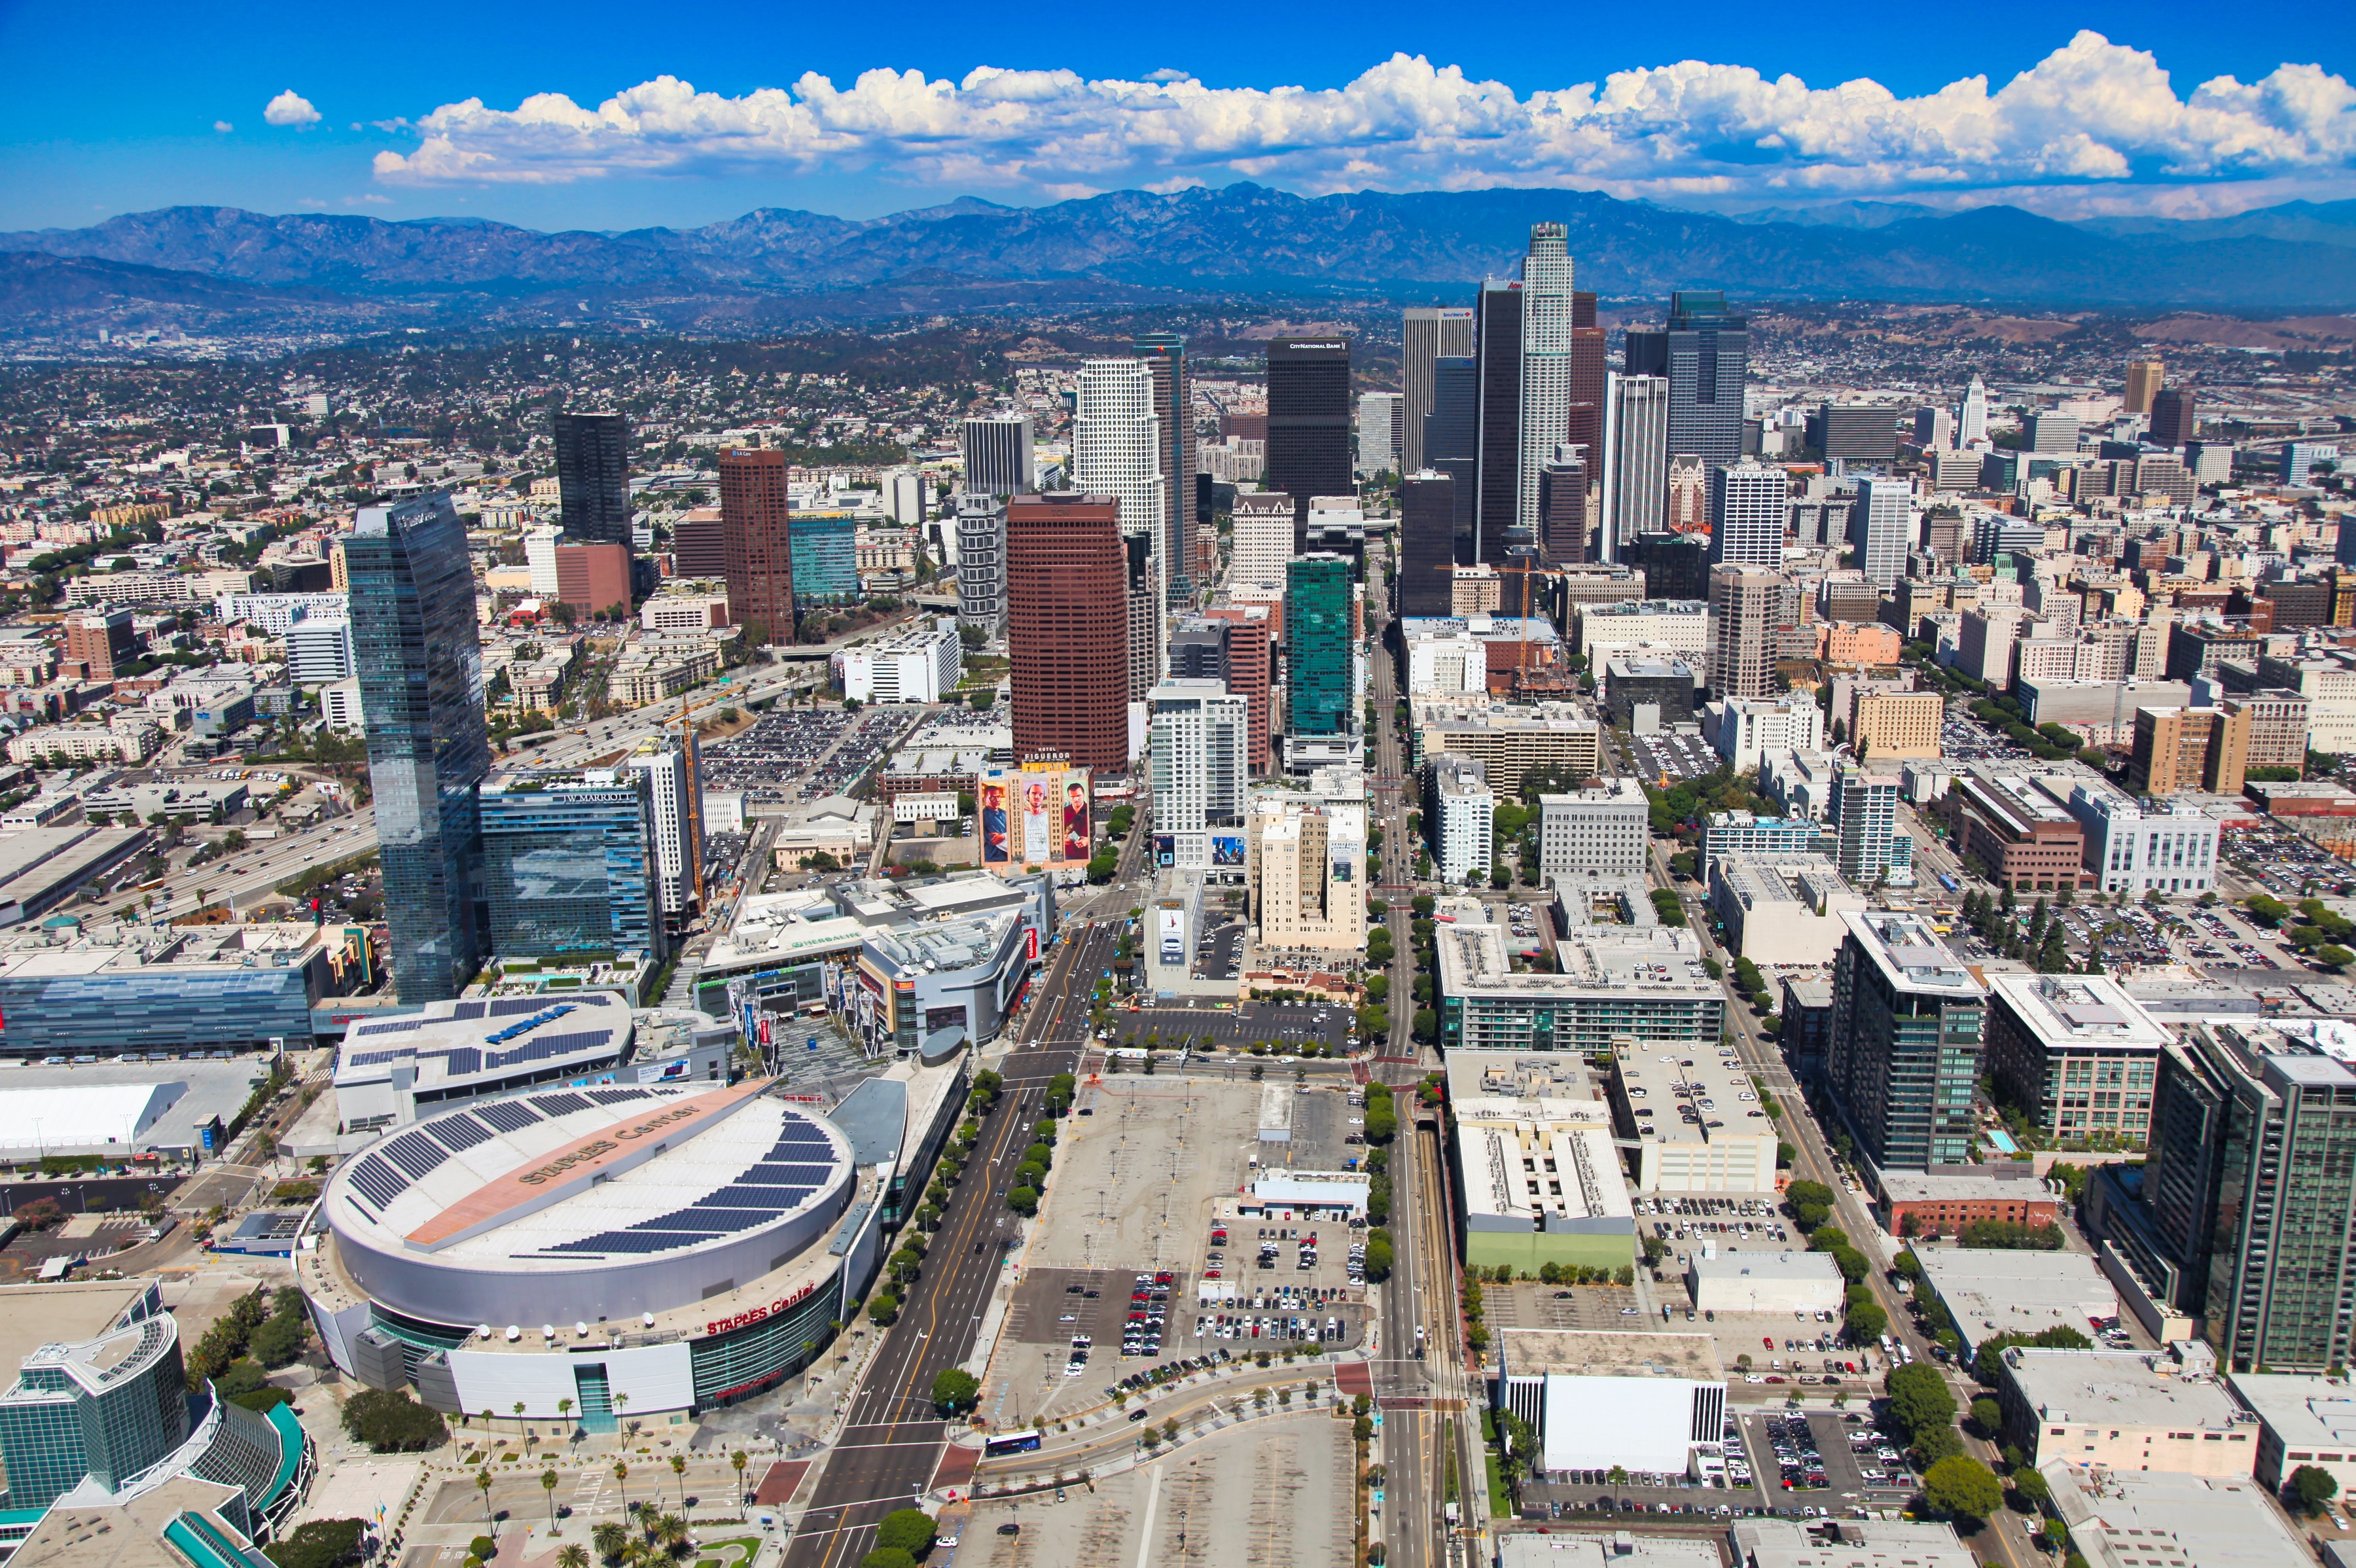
(609,117)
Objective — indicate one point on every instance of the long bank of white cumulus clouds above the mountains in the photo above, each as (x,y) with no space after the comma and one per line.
(2091,117)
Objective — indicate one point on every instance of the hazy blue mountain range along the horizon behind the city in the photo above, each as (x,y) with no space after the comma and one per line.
(774,267)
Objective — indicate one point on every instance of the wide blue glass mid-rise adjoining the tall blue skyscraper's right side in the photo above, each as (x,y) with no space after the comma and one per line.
(571,865)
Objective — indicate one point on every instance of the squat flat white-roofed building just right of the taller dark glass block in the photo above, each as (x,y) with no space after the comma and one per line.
(2077,1056)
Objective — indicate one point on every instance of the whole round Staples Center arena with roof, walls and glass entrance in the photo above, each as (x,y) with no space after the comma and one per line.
(595,1254)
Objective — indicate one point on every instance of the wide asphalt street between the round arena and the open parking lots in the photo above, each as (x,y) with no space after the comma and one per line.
(889,1449)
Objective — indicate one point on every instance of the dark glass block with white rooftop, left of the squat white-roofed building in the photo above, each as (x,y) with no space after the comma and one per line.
(1905,1049)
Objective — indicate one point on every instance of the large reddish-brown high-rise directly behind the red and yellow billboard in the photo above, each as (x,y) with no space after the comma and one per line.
(1068,627)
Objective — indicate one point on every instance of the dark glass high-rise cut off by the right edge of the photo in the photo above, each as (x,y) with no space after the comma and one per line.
(2254,1190)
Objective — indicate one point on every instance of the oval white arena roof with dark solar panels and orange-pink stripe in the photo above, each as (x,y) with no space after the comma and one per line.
(637,1200)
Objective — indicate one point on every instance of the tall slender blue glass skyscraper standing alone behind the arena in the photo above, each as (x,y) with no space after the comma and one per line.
(423,691)
